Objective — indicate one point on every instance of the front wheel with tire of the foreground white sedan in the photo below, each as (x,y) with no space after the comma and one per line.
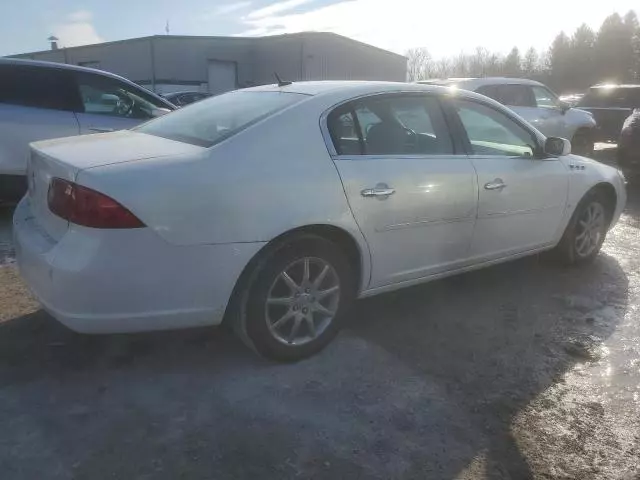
(586,231)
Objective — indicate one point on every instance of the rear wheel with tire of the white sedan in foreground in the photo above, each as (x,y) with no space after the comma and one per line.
(296,299)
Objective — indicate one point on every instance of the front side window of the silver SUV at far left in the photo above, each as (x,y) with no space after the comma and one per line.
(108,96)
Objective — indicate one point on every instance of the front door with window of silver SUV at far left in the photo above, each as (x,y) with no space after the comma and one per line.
(108,104)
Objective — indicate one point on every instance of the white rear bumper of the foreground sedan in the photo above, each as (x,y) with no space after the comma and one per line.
(113,281)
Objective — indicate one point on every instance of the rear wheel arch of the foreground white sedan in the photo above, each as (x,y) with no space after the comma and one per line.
(357,253)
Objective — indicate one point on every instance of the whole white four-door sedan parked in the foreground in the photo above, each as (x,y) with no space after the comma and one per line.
(272,208)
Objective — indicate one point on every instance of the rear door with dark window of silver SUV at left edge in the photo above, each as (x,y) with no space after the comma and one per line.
(36,103)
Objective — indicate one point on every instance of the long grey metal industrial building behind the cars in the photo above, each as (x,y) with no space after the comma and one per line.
(166,63)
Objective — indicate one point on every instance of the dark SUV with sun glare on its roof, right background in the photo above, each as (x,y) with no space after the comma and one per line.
(610,106)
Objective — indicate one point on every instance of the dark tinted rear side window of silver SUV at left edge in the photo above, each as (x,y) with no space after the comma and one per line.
(38,87)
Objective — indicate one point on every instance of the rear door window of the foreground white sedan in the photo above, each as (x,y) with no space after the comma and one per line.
(391,125)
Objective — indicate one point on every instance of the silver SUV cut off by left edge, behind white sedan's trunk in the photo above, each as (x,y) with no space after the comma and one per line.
(42,100)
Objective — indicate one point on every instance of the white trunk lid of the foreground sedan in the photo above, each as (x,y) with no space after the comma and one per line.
(66,157)
